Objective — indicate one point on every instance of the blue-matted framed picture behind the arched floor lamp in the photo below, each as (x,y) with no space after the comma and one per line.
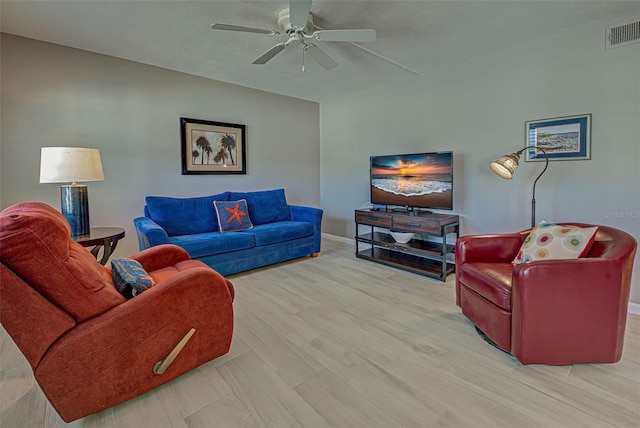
(563,138)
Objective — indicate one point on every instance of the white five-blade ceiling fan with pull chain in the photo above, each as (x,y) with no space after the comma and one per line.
(297,24)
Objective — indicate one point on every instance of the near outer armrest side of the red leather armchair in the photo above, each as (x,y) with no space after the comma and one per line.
(564,308)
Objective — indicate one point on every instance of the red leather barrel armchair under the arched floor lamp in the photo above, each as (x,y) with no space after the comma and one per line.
(552,311)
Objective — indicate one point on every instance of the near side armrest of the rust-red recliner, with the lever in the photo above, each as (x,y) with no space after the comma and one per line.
(118,349)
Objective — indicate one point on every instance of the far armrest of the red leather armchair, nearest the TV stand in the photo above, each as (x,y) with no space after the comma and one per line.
(488,248)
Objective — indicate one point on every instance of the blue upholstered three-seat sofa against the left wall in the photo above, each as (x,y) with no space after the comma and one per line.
(280,231)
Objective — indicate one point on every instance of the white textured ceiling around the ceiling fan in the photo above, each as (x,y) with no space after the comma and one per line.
(420,35)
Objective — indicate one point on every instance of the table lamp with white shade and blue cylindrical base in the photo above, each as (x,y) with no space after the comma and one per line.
(72,164)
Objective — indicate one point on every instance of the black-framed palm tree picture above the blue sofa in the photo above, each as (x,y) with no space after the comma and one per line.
(209,147)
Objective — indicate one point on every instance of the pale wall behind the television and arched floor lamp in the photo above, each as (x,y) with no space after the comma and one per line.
(479,110)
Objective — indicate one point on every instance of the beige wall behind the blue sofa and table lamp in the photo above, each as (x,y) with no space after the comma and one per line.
(57,96)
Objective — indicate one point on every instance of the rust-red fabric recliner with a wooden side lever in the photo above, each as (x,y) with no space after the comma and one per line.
(88,346)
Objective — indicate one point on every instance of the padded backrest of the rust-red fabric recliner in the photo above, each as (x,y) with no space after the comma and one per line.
(35,242)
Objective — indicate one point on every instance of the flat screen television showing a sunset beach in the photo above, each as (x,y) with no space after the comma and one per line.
(420,180)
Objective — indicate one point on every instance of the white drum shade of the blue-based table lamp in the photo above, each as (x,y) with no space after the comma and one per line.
(70,164)
